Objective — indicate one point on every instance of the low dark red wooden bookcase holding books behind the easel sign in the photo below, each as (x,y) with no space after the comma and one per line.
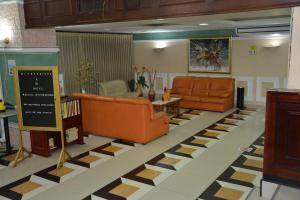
(72,118)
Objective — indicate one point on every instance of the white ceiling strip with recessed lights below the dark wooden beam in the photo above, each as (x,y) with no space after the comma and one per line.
(215,22)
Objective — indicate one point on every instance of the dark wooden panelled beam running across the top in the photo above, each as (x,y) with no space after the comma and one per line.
(45,13)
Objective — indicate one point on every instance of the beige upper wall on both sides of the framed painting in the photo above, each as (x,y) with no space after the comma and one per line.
(267,62)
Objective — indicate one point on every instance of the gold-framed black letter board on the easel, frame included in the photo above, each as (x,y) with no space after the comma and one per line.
(38,98)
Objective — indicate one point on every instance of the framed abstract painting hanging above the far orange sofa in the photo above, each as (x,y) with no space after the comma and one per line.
(210,55)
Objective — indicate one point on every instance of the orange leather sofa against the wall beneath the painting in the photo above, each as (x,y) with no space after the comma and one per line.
(205,93)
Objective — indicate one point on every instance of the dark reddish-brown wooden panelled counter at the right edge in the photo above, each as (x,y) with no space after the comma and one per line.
(282,137)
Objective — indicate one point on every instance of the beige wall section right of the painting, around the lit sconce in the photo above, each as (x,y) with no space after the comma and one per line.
(266,62)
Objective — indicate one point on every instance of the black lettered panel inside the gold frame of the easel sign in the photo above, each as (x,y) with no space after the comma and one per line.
(37,98)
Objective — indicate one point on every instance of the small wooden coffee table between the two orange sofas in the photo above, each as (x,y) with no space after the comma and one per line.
(172,106)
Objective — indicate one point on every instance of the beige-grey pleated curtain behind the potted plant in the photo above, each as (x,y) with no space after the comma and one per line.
(111,55)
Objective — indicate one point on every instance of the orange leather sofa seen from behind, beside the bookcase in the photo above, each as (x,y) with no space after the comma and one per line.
(130,119)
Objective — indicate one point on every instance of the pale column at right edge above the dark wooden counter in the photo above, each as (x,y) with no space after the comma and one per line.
(294,60)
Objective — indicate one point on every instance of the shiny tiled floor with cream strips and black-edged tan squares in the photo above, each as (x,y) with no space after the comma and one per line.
(122,170)
